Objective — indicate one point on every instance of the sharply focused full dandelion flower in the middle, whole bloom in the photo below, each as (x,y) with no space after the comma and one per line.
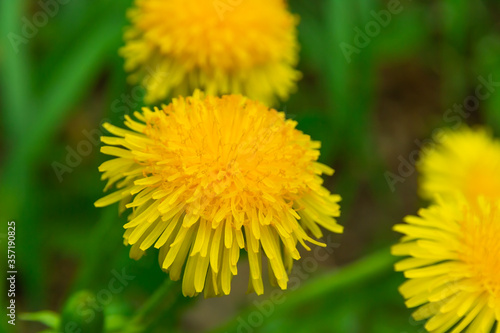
(208,176)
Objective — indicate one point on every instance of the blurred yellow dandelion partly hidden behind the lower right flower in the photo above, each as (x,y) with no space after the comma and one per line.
(467,161)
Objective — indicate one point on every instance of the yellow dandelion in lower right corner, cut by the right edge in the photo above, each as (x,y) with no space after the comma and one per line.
(453,265)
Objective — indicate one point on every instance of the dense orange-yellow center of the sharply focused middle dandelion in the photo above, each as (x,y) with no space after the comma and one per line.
(234,152)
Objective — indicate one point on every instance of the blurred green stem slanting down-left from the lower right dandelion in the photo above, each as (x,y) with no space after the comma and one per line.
(358,272)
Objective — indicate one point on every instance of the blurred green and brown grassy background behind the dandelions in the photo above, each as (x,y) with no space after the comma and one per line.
(379,78)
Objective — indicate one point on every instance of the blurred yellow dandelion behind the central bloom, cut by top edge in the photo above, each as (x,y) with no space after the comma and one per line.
(247,47)
